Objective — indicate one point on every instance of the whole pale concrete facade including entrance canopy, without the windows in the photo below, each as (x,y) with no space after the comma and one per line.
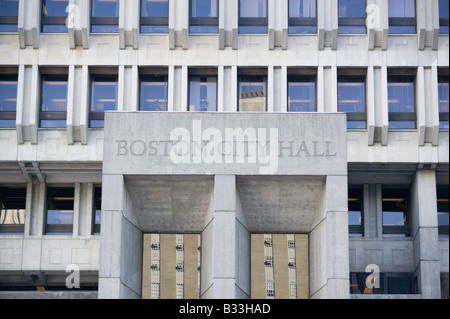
(224,202)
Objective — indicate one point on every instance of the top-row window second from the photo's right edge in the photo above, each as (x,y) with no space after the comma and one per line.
(402,16)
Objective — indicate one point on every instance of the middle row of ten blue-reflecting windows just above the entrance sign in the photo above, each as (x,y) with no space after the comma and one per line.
(203,94)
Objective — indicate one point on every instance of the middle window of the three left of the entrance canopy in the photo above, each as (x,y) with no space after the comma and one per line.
(60,203)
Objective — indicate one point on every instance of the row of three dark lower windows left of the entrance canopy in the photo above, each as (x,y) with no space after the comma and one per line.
(59,212)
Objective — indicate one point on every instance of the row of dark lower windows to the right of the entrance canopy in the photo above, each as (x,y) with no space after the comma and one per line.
(396,212)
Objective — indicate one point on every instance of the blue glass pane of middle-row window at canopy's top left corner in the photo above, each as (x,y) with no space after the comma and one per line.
(104,94)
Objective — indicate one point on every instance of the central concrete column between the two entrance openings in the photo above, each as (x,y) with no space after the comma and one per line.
(225,246)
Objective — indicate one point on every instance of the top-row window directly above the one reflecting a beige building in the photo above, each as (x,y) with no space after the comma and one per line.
(253,16)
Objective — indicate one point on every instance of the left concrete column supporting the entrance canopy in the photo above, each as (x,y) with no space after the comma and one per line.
(121,243)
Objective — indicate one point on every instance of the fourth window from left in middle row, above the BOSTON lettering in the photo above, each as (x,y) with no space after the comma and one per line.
(153,92)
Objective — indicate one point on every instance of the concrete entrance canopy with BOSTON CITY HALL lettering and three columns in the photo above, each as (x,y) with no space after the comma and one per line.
(224,176)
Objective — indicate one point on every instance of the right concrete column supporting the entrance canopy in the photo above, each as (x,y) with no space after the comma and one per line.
(329,247)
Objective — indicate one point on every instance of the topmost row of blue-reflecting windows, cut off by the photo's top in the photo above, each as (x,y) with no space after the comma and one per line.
(204,16)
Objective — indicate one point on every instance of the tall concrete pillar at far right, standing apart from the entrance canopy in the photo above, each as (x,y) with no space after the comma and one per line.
(425,233)
